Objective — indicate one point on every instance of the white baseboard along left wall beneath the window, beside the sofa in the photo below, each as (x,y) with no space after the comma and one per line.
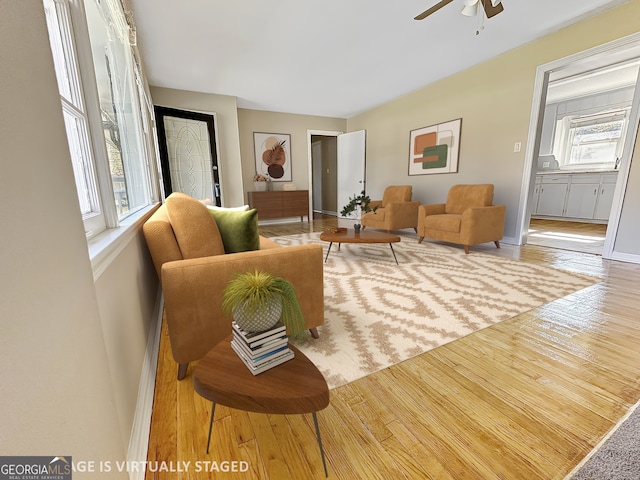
(139,441)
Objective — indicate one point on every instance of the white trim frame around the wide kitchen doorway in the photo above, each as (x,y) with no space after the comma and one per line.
(533,141)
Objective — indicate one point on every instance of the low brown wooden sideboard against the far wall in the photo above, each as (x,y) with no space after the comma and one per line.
(280,204)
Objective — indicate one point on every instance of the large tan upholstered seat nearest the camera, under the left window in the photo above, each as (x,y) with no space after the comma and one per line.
(188,254)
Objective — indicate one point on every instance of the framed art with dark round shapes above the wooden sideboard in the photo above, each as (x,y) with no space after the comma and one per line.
(273,155)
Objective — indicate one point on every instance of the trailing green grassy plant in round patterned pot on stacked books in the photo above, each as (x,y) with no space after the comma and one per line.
(257,300)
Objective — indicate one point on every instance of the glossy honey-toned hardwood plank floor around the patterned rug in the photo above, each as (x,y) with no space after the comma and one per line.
(526,399)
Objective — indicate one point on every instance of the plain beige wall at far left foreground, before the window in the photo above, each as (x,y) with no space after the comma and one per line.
(57,396)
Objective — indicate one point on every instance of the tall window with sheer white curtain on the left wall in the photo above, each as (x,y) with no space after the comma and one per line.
(108,127)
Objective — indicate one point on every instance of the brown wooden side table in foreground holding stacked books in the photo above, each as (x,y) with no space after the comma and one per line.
(295,386)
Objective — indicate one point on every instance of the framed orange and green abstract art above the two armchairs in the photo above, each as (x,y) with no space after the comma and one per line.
(435,149)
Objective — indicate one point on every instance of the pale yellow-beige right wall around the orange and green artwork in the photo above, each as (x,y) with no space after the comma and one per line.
(494,101)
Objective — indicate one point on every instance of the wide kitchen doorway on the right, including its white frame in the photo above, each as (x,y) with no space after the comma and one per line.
(579,148)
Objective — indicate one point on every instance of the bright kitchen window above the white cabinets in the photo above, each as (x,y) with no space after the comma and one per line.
(591,140)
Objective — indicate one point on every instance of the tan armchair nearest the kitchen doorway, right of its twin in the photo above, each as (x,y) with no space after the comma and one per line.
(468,217)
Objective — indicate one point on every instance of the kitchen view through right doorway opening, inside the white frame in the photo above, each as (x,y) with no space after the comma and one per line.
(585,122)
